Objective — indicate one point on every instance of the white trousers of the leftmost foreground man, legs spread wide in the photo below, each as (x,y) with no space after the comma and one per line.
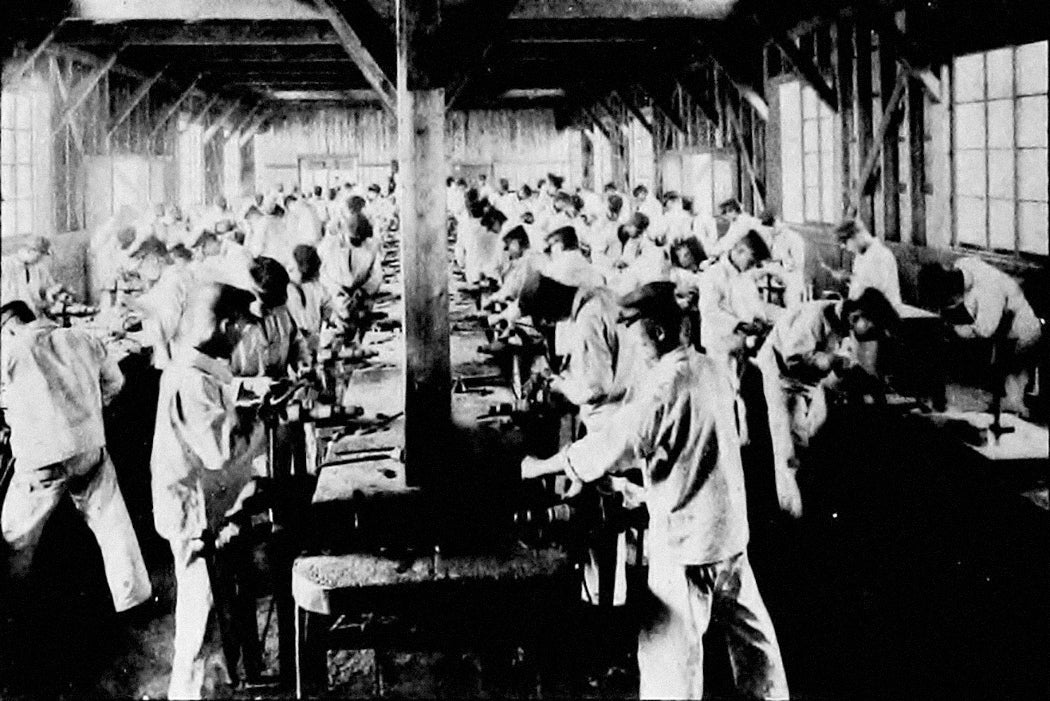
(91,480)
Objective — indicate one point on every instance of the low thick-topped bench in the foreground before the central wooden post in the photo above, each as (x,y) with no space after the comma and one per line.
(363,601)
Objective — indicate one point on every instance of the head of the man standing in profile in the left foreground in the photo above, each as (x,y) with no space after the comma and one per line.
(217,316)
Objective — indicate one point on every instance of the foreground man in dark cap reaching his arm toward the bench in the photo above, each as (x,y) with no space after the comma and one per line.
(680,426)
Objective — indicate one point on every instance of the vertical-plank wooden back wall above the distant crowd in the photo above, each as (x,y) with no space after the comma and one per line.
(520,145)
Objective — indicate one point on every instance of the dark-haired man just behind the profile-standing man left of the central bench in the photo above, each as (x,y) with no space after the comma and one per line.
(271,347)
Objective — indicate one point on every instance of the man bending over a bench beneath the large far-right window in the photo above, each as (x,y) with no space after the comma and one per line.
(981,302)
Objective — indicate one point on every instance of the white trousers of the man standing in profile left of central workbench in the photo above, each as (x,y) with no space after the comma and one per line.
(195,648)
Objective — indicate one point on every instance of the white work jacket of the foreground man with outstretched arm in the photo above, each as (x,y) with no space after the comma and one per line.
(680,423)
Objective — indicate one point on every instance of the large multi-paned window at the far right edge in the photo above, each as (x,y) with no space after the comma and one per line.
(1000,150)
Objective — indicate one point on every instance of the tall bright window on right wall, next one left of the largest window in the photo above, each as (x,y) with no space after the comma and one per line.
(811,187)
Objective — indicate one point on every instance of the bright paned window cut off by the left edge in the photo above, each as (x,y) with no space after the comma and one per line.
(16,142)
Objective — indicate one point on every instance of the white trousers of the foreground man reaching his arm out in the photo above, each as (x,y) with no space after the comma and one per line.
(671,641)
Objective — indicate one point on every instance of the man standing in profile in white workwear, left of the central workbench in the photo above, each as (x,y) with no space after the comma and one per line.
(201,460)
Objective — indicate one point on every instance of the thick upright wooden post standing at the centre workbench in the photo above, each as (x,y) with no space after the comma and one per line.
(425,250)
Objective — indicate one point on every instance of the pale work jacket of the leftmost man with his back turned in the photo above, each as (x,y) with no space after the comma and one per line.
(55,384)
